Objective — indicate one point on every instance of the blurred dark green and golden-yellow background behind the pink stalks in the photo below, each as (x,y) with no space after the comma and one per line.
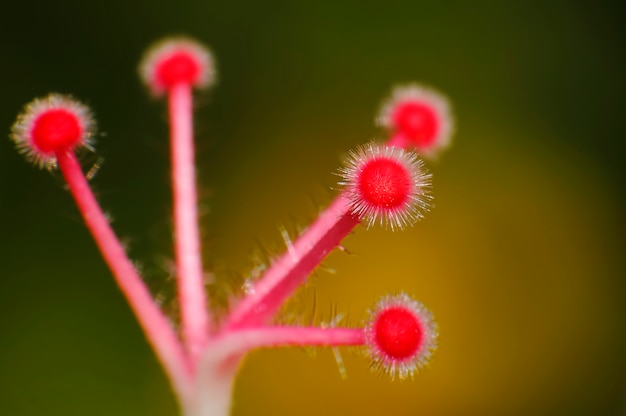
(522,261)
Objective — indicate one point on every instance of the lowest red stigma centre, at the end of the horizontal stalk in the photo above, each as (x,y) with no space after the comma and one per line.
(398,333)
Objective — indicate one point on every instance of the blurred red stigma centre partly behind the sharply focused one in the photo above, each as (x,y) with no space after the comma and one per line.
(418,121)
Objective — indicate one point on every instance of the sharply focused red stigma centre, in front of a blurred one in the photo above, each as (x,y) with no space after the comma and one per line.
(384,183)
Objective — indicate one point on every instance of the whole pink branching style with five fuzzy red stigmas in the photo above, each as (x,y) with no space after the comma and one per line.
(382,183)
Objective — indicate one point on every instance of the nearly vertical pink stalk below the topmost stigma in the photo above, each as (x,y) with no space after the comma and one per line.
(191,290)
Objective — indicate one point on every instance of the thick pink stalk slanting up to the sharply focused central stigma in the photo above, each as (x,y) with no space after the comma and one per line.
(293,267)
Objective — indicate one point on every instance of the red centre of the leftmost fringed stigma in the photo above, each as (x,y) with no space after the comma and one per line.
(55,130)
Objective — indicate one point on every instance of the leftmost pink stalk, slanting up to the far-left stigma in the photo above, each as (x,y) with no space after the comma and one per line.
(160,334)
